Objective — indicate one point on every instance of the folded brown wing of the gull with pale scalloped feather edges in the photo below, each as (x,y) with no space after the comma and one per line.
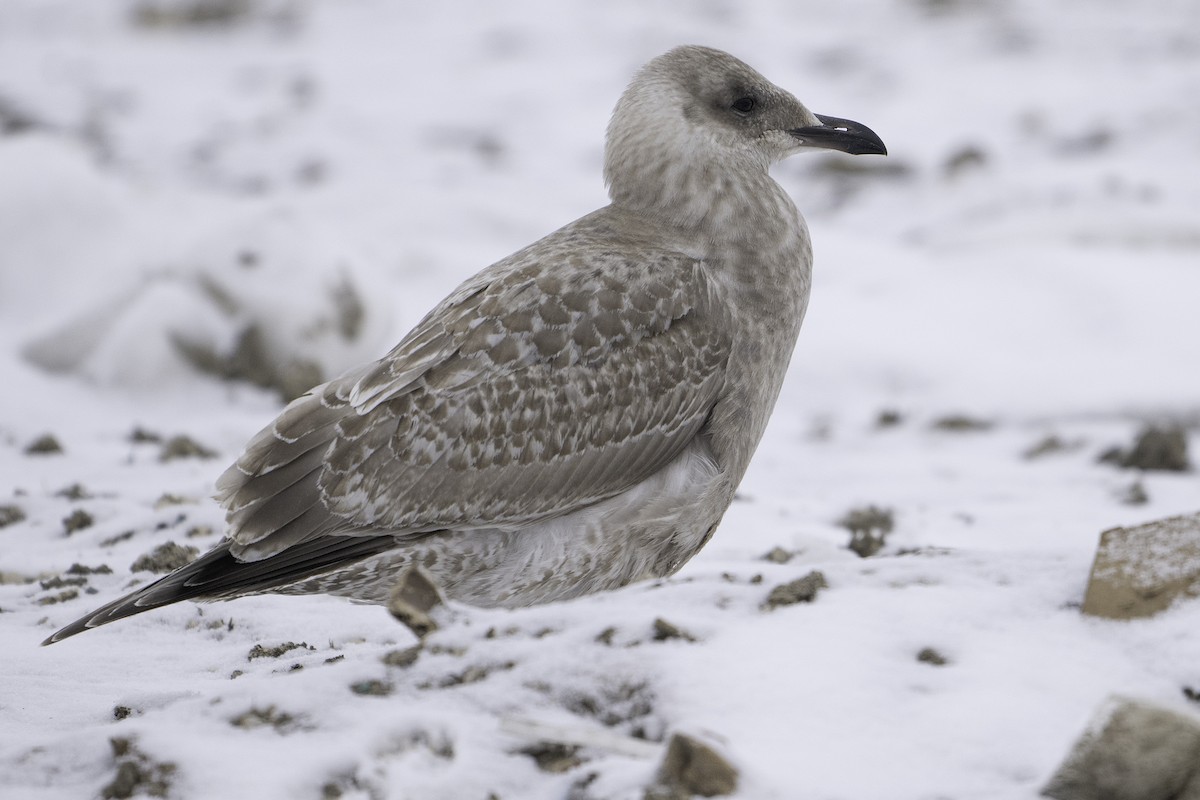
(543,386)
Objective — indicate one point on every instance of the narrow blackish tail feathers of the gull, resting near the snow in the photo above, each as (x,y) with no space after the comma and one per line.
(218,575)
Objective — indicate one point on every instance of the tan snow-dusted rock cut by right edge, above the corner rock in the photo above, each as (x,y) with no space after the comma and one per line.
(1139,572)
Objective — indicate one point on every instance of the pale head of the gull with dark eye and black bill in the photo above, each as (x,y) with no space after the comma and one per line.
(703,113)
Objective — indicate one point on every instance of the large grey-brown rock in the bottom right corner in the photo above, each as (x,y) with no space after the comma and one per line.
(1132,751)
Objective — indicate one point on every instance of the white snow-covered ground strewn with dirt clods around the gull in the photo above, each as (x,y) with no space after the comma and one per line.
(295,184)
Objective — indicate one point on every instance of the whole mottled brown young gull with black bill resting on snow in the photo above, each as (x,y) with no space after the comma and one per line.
(575,417)
